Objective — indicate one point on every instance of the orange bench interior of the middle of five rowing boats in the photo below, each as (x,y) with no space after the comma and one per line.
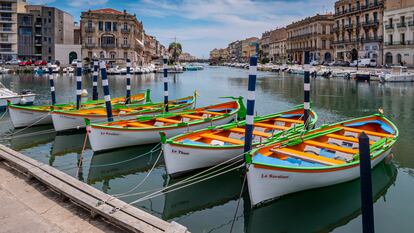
(189,116)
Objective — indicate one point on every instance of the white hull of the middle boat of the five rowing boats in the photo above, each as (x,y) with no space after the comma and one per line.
(102,138)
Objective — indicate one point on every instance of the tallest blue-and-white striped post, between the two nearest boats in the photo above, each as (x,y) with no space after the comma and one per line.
(250,104)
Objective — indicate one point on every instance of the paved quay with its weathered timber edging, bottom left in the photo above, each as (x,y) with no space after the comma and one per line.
(35,197)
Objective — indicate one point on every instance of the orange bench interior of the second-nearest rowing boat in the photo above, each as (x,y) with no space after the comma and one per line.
(262,131)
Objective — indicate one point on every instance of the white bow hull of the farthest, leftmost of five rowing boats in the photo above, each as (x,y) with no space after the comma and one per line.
(21,117)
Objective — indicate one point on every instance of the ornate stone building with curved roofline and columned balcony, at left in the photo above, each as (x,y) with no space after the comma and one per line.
(112,34)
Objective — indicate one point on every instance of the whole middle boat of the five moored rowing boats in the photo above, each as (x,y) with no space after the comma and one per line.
(145,130)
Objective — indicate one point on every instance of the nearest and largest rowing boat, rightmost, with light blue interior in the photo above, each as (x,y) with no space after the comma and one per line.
(321,157)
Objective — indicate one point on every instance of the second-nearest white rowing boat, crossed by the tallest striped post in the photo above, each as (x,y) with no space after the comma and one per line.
(209,147)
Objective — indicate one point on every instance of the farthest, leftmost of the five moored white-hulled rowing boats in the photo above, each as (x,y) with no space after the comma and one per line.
(23,116)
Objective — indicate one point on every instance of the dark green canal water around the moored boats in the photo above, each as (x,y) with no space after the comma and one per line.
(210,206)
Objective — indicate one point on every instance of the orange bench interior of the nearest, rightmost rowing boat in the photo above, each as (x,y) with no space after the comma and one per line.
(342,143)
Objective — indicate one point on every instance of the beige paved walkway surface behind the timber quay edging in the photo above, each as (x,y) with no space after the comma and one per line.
(29,206)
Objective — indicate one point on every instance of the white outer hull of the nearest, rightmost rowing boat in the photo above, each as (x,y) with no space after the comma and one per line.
(266,184)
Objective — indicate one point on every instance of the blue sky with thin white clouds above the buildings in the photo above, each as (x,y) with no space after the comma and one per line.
(202,25)
